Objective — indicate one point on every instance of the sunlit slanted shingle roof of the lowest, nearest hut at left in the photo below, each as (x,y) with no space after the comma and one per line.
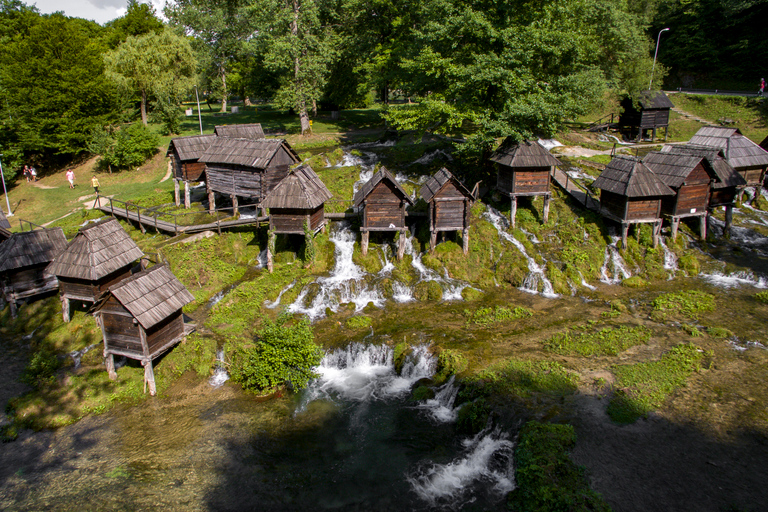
(152,295)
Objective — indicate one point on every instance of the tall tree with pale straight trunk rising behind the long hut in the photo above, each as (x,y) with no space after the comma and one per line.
(298,42)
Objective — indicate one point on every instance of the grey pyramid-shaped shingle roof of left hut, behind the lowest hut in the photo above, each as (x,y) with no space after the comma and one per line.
(97,250)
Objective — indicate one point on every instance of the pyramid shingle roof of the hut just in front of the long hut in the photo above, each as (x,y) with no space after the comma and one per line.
(302,188)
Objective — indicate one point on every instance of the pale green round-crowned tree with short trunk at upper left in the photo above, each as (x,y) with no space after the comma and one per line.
(161,64)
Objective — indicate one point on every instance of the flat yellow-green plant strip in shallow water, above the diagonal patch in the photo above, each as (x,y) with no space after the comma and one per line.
(608,341)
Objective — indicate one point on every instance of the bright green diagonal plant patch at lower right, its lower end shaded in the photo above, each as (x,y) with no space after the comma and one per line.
(643,387)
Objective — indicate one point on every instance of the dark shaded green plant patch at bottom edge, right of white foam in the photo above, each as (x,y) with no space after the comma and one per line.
(547,479)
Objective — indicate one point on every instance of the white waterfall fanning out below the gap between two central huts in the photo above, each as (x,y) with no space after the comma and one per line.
(346,284)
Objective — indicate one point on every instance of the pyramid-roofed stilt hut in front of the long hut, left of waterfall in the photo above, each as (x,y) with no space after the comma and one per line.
(297,201)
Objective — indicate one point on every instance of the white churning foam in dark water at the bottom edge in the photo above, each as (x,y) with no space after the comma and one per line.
(488,458)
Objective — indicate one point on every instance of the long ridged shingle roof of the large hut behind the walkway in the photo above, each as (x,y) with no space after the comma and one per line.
(245,152)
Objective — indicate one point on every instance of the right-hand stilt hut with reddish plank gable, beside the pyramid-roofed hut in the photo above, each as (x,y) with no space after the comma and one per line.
(691,177)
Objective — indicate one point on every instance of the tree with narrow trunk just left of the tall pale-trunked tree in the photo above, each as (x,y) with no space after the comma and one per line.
(219,30)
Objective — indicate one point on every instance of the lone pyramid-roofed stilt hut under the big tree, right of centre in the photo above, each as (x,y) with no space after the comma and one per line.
(524,169)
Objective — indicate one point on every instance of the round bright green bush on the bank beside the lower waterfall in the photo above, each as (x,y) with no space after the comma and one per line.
(284,354)
